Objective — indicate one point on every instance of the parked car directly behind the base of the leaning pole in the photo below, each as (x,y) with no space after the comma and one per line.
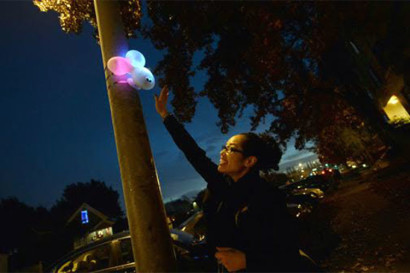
(114,254)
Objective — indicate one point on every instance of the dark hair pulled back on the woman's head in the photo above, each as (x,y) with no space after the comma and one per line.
(264,148)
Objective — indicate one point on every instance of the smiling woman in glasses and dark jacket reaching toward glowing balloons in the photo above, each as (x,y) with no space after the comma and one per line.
(248,226)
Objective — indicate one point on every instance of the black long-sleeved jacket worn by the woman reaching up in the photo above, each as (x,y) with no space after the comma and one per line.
(249,215)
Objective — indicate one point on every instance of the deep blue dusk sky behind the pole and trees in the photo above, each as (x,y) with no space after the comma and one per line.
(55,119)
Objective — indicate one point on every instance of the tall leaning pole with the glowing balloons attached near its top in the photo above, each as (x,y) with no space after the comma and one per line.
(150,237)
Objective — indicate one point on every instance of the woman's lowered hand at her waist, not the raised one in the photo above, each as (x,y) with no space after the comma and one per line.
(231,258)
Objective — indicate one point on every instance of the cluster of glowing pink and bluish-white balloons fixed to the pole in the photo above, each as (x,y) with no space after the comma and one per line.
(132,65)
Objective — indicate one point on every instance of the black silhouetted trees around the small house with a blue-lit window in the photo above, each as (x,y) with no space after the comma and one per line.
(37,234)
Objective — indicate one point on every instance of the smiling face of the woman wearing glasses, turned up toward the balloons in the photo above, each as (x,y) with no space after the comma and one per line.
(232,160)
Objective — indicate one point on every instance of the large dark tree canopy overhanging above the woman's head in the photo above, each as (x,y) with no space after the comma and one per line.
(292,61)
